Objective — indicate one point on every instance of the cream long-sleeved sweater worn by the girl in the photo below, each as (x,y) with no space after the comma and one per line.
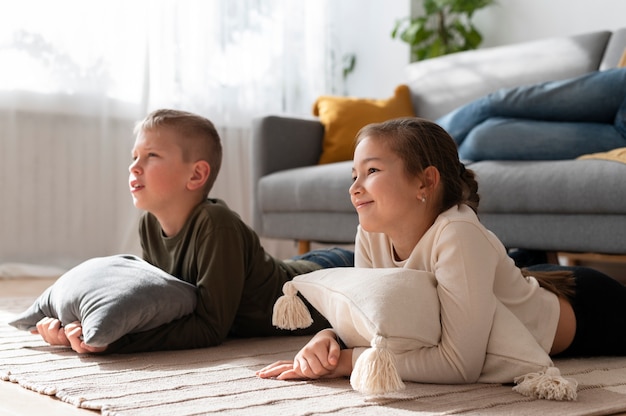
(473,273)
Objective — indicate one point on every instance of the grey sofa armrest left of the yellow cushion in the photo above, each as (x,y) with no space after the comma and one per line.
(280,143)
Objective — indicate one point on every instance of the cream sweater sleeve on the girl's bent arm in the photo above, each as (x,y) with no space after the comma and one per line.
(464,263)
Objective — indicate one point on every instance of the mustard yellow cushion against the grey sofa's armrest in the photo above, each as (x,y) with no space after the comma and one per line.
(343,117)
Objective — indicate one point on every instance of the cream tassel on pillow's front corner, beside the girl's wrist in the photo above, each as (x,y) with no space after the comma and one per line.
(375,371)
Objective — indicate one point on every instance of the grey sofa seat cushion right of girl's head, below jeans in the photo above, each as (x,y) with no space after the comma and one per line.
(559,187)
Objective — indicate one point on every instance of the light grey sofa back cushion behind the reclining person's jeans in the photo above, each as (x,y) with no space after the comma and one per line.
(440,85)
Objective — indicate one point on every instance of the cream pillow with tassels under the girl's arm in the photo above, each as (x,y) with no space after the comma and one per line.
(395,310)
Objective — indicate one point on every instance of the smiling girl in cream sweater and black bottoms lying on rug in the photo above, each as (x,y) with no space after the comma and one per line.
(417,207)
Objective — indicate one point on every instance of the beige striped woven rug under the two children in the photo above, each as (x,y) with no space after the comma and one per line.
(221,380)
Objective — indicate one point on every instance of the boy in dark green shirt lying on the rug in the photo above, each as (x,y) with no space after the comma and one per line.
(176,159)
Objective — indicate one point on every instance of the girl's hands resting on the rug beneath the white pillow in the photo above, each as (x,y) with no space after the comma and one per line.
(320,357)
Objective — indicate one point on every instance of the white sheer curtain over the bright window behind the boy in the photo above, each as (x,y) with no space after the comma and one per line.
(76,75)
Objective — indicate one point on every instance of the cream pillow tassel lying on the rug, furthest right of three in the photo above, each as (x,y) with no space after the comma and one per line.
(547,384)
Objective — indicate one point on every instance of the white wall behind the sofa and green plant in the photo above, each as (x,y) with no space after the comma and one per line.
(364,27)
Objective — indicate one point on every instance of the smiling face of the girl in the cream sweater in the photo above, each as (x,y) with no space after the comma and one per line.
(386,199)
